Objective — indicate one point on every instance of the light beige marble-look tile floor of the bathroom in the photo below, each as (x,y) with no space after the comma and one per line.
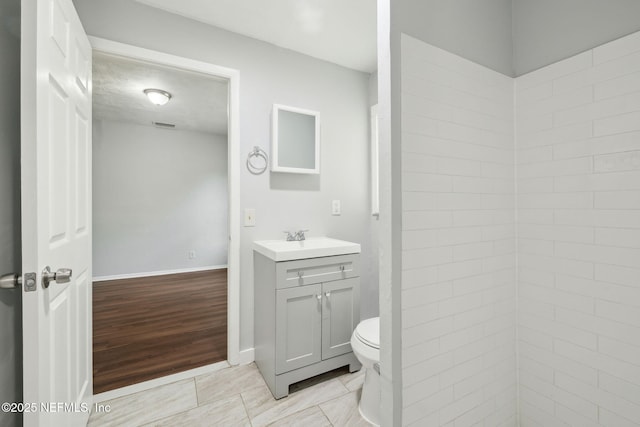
(238,396)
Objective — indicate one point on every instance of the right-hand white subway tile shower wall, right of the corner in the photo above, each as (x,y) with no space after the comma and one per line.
(578,156)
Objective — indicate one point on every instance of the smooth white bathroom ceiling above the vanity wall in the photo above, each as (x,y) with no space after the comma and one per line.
(338,31)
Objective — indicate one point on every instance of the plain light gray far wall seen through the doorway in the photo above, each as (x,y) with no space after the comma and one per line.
(157,194)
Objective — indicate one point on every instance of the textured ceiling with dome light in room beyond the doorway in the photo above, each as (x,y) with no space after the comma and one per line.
(199,102)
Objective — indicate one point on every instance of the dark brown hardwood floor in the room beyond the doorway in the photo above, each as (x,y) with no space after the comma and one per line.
(150,327)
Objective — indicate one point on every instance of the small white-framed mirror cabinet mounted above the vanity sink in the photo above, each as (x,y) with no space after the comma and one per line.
(295,144)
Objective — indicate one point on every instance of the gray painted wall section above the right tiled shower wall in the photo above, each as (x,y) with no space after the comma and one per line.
(546,31)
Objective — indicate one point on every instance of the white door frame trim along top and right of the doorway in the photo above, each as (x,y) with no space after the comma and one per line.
(233,144)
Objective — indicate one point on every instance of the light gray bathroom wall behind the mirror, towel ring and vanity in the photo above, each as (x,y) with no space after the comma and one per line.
(269,75)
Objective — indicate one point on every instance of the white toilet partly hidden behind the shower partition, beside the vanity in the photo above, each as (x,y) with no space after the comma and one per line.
(365,343)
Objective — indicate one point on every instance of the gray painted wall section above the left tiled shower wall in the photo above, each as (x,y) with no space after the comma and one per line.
(479,30)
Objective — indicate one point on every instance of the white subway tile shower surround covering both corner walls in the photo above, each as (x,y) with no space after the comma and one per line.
(577,146)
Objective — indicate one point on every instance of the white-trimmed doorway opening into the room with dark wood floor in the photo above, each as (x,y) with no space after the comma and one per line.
(165,193)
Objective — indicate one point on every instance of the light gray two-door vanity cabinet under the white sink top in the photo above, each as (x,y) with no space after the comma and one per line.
(305,313)
